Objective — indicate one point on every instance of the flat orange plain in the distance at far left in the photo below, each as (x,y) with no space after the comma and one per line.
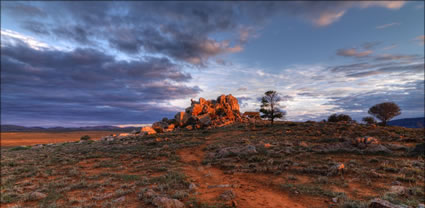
(31,138)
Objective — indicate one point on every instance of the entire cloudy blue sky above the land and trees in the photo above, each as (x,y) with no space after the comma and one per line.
(124,63)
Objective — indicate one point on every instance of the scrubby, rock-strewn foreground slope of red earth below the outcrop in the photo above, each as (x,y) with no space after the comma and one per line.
(288,165)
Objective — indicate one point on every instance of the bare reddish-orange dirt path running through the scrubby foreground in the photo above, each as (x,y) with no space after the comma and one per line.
(211,182)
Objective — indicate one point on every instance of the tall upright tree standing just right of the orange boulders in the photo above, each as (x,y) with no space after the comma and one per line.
(270,107)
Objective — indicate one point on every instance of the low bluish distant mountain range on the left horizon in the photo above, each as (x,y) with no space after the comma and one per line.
(15,128)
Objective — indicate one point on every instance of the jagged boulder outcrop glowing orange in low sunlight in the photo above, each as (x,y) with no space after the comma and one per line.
(201,114)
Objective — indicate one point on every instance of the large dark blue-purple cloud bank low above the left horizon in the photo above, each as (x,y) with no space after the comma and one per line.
(87,85)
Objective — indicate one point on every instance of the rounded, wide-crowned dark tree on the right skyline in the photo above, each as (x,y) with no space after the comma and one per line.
(385,111)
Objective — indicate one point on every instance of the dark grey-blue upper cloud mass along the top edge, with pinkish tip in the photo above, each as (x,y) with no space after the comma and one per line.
(179,30)
